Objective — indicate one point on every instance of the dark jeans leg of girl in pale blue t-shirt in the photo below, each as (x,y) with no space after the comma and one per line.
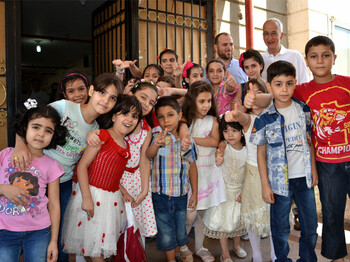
(65,193)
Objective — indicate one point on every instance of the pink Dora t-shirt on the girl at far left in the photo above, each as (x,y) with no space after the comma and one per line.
(41,172)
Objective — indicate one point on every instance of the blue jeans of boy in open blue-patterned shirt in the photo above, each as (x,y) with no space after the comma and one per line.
(280,228)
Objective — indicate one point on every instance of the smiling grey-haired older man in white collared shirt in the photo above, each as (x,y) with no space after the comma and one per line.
(273,34)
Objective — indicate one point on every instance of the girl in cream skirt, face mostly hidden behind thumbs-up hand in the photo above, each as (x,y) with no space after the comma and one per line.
(255,212)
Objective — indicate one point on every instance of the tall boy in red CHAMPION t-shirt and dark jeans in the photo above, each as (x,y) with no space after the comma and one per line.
(328,97)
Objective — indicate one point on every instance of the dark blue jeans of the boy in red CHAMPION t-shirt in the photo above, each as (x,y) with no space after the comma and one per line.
(334,185)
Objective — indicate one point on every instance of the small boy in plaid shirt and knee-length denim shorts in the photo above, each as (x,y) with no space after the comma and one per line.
(171,170)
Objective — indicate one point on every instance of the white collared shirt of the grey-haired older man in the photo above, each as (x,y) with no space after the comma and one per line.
(292,56)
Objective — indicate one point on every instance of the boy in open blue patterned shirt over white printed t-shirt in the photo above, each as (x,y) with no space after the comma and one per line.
(286,162)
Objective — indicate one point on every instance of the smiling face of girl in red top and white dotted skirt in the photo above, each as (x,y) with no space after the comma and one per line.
(125,123)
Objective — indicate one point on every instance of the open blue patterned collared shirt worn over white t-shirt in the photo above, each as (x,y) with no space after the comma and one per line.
(269,129)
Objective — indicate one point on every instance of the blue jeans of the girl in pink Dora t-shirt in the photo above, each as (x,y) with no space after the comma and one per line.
(32,243)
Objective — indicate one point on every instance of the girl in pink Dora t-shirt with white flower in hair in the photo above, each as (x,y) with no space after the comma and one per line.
(29,220)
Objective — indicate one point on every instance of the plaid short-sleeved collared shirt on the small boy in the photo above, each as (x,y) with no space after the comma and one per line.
(170,167)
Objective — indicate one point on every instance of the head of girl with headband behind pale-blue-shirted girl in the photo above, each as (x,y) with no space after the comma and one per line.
(74,87)
